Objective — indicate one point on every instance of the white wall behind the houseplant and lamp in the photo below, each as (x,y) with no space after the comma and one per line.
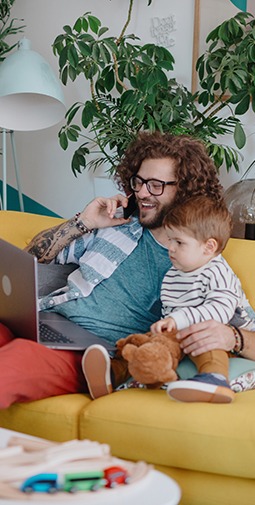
(46,175)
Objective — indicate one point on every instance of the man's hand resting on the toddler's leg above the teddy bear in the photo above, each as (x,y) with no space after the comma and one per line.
(206,336)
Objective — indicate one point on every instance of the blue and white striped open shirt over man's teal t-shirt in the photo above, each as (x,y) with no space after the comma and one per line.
(98,255)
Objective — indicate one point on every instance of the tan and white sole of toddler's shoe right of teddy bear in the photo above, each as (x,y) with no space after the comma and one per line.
(188,391)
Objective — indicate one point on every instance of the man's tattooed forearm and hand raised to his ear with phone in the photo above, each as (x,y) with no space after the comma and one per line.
(99,213)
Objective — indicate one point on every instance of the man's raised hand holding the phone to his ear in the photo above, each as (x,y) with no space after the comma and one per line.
(100,213)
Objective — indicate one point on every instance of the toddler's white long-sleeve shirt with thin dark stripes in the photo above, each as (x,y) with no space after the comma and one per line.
(210,292)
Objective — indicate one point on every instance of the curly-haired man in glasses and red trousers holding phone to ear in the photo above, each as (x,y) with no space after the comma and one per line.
(121,263)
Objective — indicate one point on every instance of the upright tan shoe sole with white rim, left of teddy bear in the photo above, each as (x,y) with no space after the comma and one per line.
(96,366)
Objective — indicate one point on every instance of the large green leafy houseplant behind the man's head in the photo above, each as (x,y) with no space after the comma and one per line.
(130,90)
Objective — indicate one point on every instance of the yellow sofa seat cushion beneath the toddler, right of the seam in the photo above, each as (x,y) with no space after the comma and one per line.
(148,425)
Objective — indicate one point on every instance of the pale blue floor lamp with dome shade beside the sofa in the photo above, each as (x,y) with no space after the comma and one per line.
(31,99)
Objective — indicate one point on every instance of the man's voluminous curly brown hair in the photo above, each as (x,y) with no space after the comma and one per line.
(194,169)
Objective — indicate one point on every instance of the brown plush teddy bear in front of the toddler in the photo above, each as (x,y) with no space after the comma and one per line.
(152,357)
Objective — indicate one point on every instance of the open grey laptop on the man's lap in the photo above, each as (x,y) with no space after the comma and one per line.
(19,306)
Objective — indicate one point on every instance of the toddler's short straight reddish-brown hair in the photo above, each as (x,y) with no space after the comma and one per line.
(203,218)
